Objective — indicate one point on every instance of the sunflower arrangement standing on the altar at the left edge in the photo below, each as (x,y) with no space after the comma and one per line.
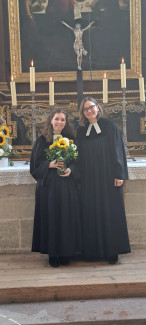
(5,147)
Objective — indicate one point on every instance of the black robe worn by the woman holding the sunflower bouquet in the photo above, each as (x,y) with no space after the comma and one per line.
(57,228)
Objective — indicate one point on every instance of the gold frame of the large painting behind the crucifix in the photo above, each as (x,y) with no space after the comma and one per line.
(15,50)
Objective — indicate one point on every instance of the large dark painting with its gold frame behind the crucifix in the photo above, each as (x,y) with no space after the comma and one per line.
(36,32)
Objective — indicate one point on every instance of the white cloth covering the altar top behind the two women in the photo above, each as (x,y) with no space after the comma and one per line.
(19,173)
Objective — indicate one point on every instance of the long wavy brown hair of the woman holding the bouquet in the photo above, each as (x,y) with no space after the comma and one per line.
(48,129)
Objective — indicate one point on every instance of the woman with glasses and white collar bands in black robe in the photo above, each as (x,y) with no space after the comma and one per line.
(103,169)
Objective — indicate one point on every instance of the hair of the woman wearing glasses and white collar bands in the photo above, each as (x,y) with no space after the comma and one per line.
(82,118)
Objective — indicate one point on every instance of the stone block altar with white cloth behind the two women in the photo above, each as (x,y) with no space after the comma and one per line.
(17,199)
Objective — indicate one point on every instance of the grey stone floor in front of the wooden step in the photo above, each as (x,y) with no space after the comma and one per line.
(101,311)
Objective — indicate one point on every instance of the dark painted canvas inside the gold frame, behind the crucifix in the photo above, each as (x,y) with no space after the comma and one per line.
(50,43)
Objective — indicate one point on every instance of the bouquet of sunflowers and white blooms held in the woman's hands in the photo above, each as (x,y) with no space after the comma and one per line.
(64,149)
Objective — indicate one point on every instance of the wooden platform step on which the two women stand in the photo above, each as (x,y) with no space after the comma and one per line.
(29,278)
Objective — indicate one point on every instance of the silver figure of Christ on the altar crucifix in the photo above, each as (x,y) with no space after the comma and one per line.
(78,44)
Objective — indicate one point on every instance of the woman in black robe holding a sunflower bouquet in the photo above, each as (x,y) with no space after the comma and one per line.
(57,229)
